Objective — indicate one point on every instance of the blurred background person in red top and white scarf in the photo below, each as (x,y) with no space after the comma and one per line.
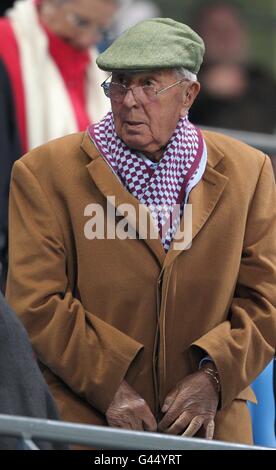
(49,50)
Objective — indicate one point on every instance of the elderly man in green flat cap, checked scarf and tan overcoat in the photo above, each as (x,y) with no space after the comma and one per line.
(136,323)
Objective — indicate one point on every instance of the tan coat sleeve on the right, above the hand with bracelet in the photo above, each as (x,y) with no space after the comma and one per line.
(243,345)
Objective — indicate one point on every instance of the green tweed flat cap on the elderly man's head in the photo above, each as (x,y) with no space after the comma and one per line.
(157,43)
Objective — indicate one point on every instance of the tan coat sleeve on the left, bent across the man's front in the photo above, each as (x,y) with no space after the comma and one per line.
(89,355)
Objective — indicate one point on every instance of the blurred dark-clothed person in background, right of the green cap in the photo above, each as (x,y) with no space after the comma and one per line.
(235,93)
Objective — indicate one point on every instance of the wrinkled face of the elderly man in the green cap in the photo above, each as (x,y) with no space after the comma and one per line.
(148,125)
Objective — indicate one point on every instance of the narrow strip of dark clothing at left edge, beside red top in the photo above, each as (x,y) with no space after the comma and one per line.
(9,152)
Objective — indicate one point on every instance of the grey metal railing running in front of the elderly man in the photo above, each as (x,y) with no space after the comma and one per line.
(26,430)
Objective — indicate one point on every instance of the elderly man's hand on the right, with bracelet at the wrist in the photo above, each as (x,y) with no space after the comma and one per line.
(190,406)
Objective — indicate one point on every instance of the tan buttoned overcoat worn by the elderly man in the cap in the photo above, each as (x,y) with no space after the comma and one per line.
(101,310)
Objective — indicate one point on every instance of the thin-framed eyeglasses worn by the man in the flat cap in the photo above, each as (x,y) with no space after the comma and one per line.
(117,91)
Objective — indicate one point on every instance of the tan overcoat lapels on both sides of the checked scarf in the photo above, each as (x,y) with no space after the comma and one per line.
(204,197)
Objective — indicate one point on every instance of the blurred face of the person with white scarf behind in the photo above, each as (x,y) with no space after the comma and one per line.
(78,22)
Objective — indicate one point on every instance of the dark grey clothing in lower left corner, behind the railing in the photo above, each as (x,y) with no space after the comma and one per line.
(23,390)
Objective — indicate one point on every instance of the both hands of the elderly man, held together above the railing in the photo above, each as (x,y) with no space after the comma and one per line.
(188,408)
